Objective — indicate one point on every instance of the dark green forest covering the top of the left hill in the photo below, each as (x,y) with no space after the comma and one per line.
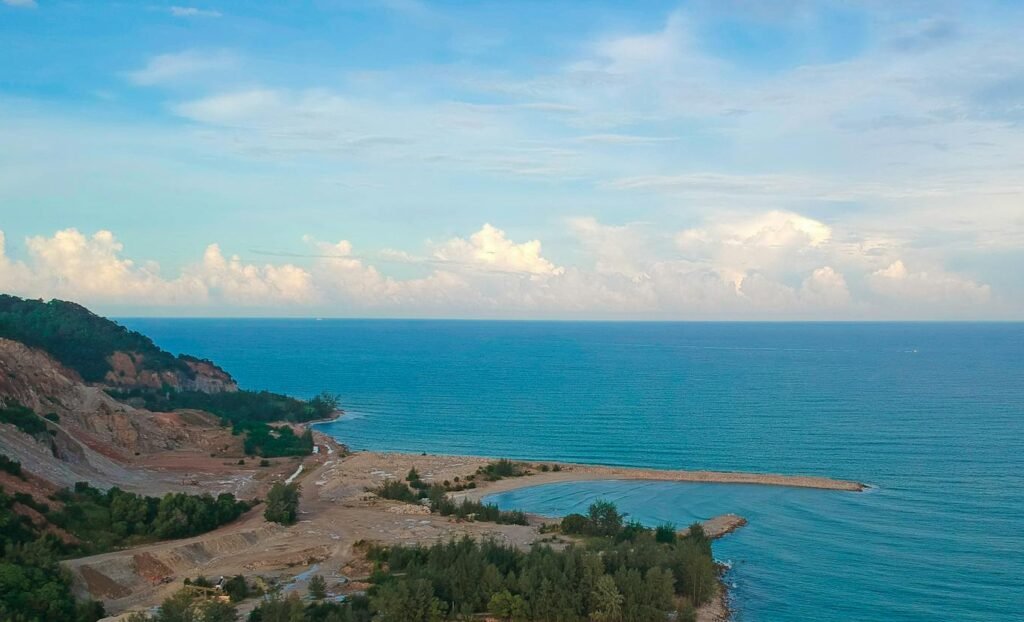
(79,339)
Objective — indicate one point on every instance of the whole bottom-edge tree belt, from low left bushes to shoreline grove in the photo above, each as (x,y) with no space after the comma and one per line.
(628,576)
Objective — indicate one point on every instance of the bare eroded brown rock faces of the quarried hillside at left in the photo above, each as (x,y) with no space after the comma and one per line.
(94,437)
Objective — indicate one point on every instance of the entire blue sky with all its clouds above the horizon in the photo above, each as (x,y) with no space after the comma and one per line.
(705,160)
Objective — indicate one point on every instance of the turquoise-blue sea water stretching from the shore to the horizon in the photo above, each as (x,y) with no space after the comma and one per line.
(932,416)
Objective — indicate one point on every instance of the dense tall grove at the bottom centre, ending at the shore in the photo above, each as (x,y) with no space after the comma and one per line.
(628,576)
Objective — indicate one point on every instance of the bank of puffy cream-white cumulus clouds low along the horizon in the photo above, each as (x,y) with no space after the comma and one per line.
(724,269)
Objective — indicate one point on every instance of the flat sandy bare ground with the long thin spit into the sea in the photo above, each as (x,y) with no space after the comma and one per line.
(337,514)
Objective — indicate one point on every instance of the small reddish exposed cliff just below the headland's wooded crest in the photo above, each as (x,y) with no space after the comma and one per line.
(129,372)
